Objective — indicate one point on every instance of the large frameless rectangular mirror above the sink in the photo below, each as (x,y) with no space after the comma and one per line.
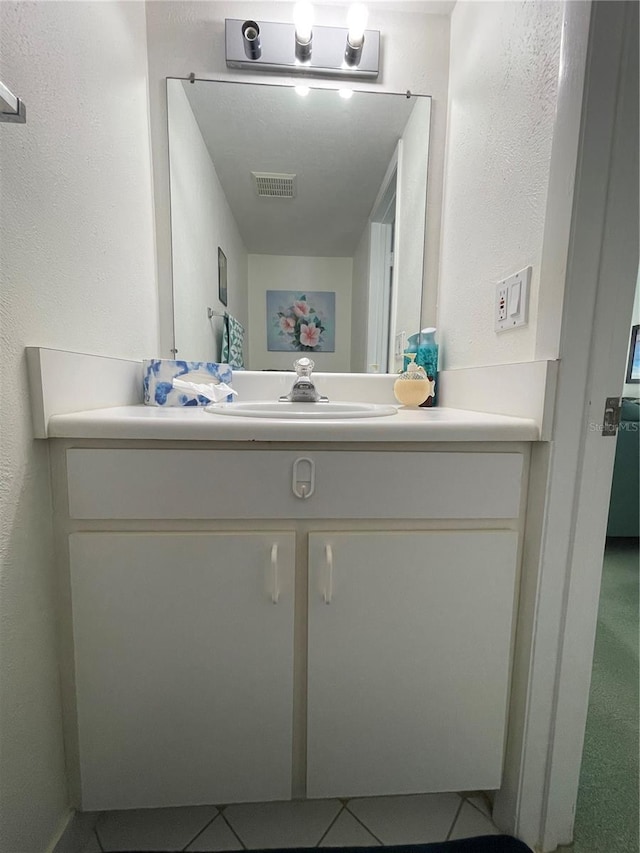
(316,199)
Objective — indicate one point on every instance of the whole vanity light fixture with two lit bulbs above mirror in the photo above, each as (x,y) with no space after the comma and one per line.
(302,48)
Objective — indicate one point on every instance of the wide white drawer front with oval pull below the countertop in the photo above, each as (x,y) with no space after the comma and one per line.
(238,484)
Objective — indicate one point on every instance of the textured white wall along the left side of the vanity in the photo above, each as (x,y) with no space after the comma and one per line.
(77,261)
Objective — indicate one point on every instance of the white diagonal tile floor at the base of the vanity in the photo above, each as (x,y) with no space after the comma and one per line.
(371,821)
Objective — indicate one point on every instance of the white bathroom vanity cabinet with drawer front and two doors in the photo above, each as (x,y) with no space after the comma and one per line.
(276,621)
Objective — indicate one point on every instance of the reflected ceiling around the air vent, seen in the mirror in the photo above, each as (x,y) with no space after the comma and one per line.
(339,149)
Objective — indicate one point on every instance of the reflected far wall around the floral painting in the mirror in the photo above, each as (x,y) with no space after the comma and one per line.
(279,272)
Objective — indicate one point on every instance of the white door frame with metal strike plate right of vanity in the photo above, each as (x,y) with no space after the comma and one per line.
(538,804)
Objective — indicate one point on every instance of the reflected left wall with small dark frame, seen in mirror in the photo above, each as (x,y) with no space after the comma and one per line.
(201,220)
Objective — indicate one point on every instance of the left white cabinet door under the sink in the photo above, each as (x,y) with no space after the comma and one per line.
(184,667)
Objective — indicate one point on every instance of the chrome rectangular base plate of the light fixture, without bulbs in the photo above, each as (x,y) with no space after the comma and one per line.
(278,51)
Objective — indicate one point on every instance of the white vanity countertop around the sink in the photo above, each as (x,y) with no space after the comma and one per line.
(194,424)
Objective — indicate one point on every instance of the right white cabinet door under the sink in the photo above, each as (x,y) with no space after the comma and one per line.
(409,657)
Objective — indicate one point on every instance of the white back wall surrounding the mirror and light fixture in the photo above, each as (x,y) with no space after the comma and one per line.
(189,36)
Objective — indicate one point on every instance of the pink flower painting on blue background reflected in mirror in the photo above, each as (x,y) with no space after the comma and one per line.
(301,321)
